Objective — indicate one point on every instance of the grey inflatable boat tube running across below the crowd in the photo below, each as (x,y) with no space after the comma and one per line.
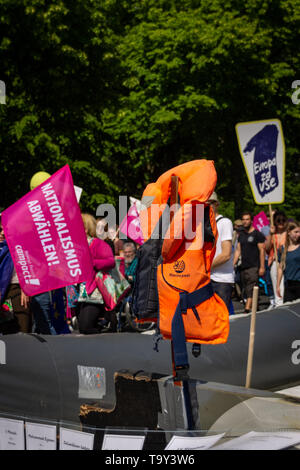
(52,377)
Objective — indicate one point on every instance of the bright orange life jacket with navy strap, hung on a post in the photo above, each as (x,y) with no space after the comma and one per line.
(188,308)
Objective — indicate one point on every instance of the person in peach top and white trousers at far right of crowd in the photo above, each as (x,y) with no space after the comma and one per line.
(277,237)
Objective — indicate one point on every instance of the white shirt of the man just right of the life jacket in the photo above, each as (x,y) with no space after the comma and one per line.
(224,272)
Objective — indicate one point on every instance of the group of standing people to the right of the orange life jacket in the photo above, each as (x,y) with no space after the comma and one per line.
(246,257)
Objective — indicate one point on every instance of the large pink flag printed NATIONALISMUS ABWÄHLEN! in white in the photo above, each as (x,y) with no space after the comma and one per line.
(46,237)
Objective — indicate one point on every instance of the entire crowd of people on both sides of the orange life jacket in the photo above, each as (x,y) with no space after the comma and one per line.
(244,257)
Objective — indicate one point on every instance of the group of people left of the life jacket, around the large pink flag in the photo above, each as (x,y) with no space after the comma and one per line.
(83,302)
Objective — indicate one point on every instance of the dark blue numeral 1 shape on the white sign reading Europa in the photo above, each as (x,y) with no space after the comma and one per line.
(264,163)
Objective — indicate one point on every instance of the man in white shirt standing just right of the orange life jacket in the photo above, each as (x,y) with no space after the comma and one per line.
(222,272)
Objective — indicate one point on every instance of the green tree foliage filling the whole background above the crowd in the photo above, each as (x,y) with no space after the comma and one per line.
(122,90)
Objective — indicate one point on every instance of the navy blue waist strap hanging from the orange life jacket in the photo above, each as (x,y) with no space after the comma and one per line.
(186,300)
